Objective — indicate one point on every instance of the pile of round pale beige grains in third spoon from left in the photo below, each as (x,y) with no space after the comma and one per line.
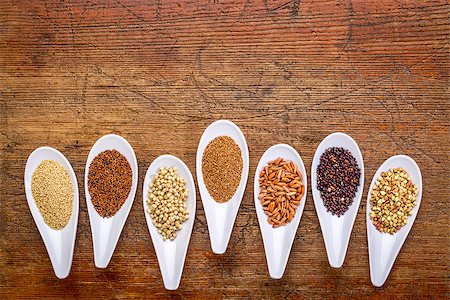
(167,202)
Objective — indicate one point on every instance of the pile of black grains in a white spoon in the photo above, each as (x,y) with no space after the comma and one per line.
(337,179)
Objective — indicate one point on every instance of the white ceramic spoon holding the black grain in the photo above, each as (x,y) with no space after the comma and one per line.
(336,230)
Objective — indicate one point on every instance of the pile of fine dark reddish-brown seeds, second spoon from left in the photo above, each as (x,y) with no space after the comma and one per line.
(109,182)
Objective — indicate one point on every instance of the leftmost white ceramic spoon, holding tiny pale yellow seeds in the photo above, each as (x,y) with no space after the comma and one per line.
(59,243)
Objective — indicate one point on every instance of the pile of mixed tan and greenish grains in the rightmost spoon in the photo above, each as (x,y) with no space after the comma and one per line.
(392,201)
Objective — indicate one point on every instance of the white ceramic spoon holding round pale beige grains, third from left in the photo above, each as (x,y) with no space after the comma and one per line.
(171,254)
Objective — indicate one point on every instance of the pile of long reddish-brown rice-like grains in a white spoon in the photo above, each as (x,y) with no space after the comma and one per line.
(281,184)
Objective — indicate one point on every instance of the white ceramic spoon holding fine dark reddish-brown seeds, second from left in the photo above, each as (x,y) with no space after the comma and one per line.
(106,231)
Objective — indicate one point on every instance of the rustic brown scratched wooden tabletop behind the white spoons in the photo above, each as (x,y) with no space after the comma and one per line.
(158,72)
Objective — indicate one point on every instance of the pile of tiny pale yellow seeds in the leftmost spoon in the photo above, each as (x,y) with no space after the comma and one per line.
(53,193)
